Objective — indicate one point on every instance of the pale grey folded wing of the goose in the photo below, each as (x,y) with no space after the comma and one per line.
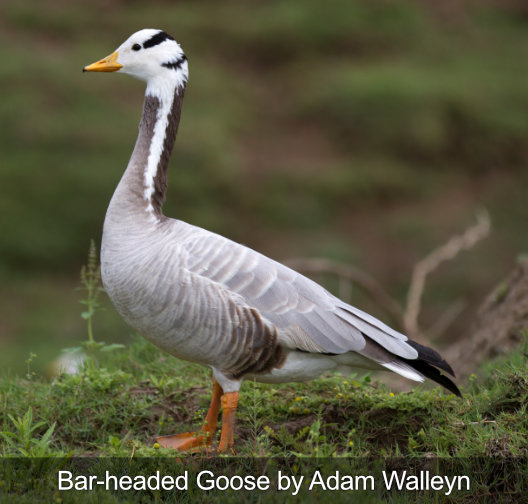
(305,315)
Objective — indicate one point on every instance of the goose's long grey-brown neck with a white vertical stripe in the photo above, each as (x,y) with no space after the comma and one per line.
(141,191)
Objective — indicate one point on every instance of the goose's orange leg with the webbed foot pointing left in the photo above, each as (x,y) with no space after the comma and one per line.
(190,440)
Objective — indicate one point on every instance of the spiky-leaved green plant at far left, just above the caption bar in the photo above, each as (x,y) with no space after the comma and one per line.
(22,441)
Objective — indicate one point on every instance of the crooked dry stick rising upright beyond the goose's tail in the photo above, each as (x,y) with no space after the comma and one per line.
(444,253)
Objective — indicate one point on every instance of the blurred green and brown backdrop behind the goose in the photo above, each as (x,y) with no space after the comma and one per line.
(366,132)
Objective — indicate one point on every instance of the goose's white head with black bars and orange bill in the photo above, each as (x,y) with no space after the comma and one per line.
(150,55)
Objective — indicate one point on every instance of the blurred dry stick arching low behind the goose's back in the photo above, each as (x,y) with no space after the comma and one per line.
(356,276)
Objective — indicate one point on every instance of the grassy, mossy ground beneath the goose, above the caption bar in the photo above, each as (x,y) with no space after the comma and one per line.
(117,406)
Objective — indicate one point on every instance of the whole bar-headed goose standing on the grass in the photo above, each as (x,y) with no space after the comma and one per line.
(206,299)
